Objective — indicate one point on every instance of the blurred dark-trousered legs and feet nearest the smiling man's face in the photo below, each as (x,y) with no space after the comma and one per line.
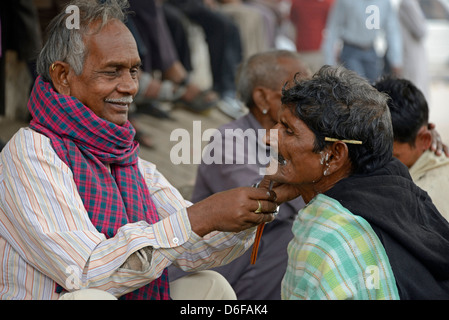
(158,52)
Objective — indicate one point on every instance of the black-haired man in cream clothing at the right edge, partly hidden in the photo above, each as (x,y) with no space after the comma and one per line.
(412,140)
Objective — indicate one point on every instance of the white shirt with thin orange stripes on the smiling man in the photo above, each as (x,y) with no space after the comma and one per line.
(46,236)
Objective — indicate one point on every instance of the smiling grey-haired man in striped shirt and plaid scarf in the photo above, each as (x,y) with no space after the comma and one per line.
(78,208)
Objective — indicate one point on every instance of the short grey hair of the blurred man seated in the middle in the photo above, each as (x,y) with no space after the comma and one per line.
(263,69)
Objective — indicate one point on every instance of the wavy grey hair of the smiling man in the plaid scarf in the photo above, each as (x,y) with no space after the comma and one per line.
(67,44)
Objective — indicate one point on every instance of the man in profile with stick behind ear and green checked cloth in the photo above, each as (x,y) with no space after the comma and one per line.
(367,231)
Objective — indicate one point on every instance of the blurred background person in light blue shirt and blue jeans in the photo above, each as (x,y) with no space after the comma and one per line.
(358,25)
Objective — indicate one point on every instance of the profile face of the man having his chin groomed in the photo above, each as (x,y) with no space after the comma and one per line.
(297,162)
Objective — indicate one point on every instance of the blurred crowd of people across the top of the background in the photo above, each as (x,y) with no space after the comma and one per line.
(373,42)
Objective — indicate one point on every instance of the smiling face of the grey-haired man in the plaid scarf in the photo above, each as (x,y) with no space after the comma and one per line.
(109,81)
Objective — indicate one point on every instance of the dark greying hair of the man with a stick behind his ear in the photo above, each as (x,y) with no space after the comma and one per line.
(339,104)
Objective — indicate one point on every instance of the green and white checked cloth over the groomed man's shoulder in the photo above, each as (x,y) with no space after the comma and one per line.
(336,255)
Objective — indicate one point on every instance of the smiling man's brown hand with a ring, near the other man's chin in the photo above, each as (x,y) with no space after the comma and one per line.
(232,210)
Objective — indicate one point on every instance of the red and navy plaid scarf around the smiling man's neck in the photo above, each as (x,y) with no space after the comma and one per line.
(88,144)
